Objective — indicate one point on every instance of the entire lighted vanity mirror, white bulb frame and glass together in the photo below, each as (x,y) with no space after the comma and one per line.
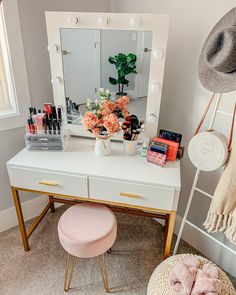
(87,53)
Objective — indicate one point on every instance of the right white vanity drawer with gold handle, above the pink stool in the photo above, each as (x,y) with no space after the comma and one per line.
(131,194)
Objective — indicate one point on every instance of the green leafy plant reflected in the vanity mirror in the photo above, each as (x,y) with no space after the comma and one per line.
(125,65)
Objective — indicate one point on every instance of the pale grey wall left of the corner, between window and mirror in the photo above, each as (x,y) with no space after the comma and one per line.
(34,36)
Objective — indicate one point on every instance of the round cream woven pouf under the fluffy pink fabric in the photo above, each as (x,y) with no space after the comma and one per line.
(159,283)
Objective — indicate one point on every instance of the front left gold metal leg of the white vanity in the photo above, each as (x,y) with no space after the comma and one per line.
(20,217)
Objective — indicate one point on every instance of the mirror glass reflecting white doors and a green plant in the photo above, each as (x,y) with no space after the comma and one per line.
(109,59)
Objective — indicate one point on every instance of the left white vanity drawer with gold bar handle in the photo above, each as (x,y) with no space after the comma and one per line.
(51,182)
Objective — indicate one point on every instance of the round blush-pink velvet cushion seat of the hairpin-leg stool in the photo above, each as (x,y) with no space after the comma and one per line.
(87,230)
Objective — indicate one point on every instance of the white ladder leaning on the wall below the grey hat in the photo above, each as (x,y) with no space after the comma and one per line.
(195,188)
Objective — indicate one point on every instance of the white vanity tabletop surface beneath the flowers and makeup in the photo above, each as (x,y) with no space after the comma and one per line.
(79,159)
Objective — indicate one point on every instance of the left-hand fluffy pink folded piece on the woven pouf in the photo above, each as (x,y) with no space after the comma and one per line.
(182,275)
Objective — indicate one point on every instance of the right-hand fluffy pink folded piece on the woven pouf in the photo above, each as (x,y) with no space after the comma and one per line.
(206,281)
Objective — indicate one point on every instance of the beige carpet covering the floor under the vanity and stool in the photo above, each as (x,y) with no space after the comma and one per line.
(136,253)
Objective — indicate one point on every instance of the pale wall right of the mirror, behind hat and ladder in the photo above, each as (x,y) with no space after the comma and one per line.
(184,98)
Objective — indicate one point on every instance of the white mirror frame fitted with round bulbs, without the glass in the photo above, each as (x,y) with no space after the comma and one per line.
(158,24)
